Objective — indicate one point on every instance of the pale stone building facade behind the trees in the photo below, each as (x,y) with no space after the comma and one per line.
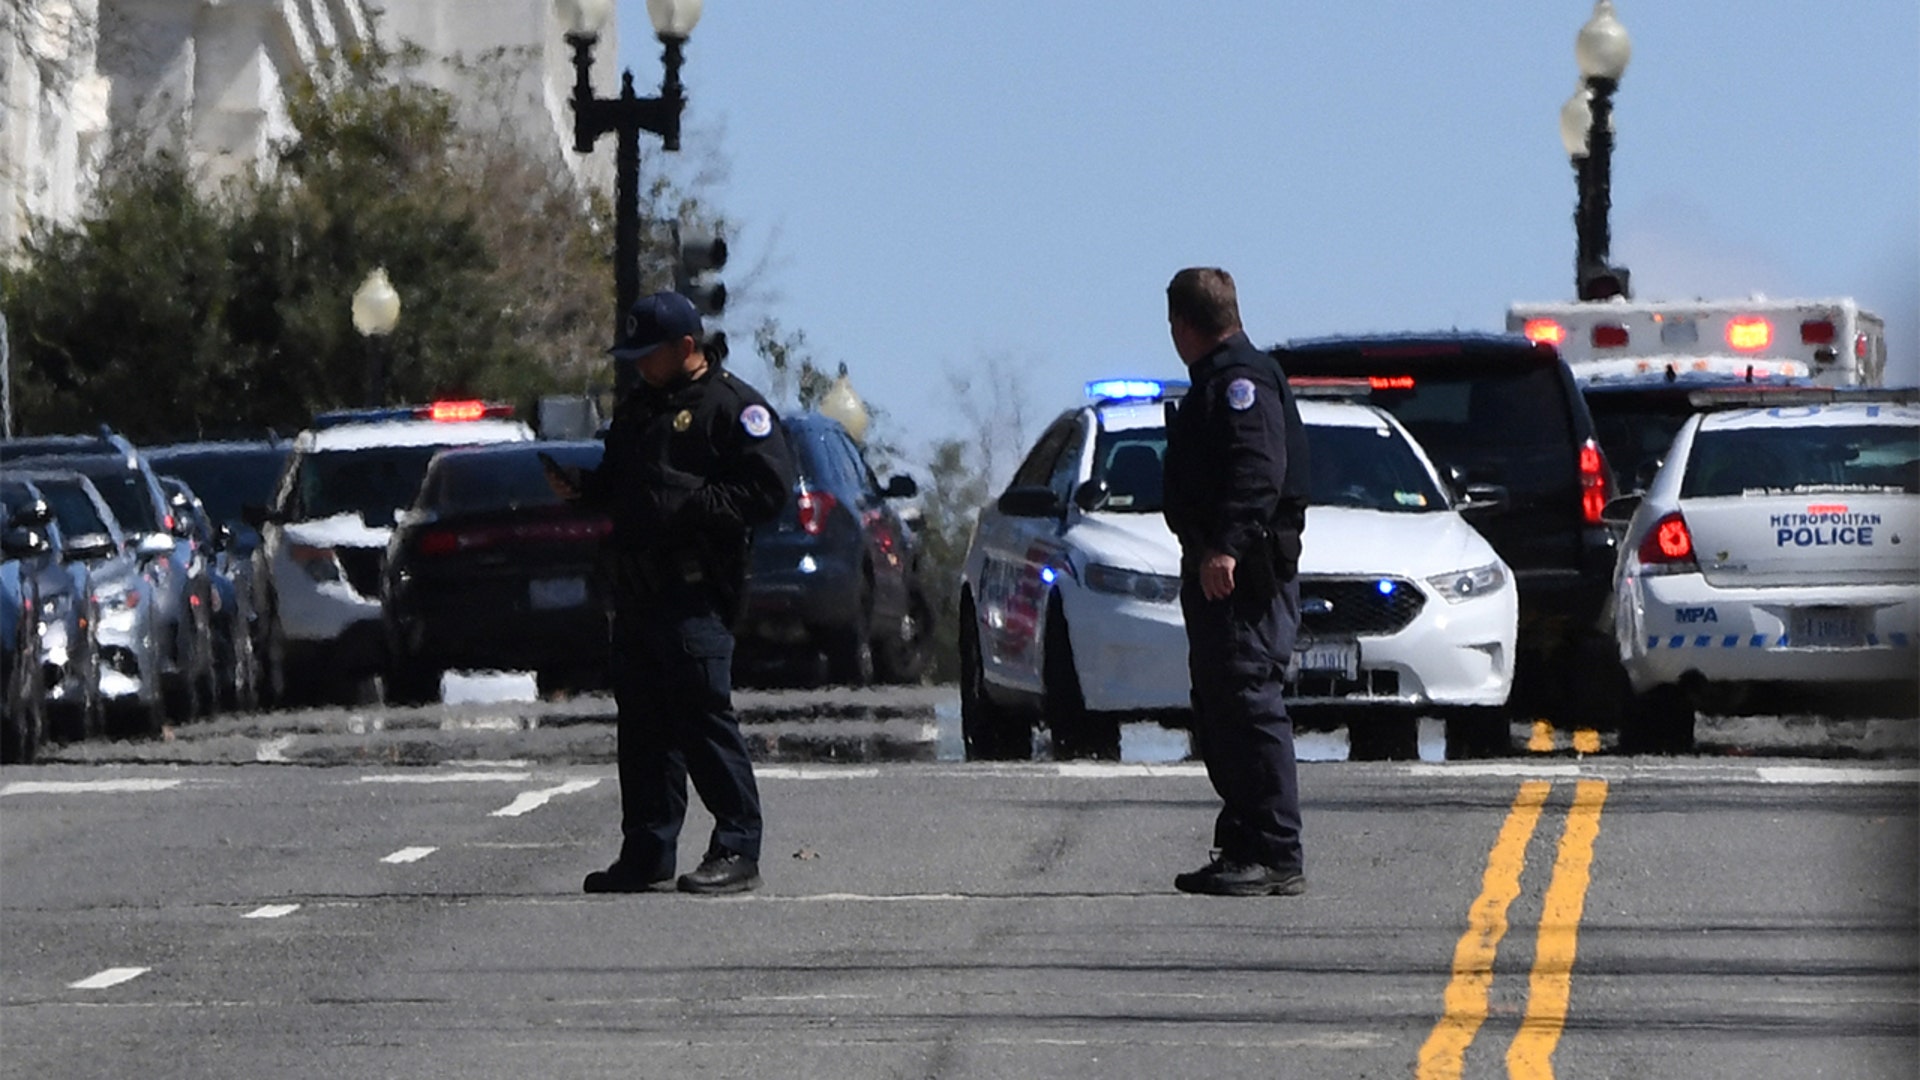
(210,76)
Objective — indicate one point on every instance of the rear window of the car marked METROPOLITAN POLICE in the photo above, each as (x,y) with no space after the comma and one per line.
(1869,458)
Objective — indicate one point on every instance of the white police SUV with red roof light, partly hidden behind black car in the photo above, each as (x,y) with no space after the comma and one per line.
(325,535)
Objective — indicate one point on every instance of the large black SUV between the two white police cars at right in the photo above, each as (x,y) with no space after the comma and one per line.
(1502,416)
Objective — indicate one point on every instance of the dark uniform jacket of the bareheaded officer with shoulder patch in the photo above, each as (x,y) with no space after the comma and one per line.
(1237,462)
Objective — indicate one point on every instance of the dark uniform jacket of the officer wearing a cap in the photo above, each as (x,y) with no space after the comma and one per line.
(688,472)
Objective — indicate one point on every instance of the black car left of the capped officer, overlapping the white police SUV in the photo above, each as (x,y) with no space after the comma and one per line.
(491,570)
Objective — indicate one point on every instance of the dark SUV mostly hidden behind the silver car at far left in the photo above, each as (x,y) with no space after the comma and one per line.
(130,485)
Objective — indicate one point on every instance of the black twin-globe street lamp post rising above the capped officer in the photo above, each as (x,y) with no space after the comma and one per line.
(627,116)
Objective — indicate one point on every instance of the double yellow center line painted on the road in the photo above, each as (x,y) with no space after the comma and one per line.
(1531,1054)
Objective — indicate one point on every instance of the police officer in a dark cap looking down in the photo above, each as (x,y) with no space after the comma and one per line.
(694,460)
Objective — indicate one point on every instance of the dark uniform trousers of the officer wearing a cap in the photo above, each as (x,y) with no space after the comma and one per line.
(673,679)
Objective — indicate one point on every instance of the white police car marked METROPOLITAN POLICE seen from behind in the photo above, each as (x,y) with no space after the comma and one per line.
(1773,566)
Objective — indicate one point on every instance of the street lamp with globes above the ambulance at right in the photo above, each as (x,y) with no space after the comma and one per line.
(1587,132)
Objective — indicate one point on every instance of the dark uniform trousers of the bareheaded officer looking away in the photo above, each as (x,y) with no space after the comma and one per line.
(1237,658)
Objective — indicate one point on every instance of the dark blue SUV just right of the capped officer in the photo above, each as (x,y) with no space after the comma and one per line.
(836,577)
